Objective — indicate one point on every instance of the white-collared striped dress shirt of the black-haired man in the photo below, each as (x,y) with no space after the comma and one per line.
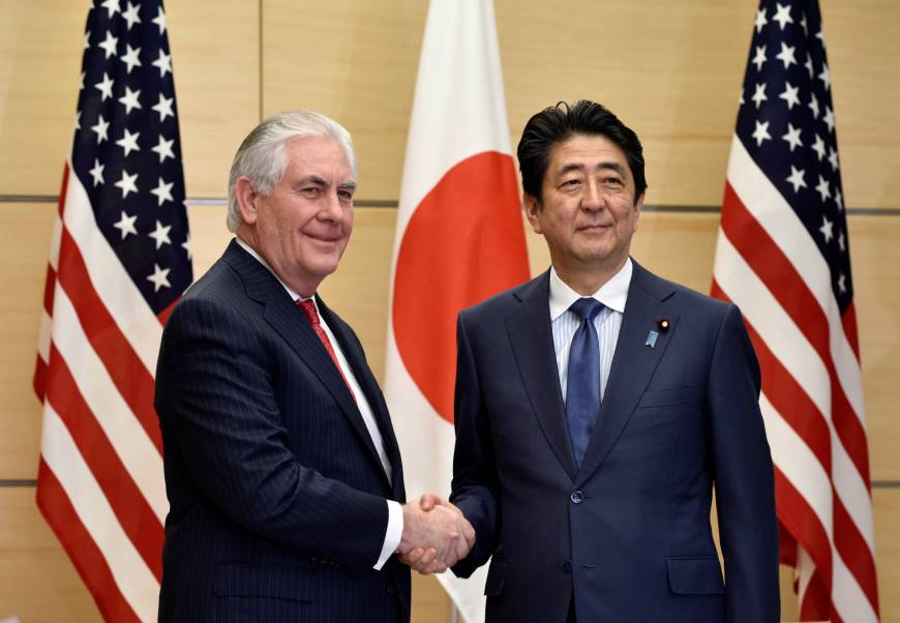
(608,322)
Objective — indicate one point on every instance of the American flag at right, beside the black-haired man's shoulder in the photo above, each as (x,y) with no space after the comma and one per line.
(783,256)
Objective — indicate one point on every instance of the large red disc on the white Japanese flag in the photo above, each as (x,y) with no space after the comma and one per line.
(451,258)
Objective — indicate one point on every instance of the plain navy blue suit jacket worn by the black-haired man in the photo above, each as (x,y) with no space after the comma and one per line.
(629,532)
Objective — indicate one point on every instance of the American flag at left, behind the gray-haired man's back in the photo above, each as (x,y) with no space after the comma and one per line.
(119,260)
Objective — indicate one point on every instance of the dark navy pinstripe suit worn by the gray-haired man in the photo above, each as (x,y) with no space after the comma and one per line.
(277,494)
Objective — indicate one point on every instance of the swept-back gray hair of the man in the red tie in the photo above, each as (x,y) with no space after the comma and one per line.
(262,156)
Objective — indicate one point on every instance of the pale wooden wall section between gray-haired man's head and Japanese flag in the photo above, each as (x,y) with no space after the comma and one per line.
(352,60)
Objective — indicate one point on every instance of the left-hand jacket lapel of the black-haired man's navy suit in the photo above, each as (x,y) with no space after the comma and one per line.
(532,342)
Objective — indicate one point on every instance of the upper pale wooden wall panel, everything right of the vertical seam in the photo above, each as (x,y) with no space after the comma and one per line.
(671,71)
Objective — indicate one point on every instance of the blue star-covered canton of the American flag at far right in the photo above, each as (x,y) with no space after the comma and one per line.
(786,123)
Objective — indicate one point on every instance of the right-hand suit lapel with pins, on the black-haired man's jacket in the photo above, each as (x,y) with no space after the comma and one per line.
(633,364)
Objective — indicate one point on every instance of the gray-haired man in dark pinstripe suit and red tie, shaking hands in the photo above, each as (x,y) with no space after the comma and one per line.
(282,468)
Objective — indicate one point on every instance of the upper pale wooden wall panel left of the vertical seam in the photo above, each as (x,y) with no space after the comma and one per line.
(215,50)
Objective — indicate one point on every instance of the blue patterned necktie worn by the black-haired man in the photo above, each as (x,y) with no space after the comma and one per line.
(583,386)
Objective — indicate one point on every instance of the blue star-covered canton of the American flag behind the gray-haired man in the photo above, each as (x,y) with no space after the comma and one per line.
(127,151)
